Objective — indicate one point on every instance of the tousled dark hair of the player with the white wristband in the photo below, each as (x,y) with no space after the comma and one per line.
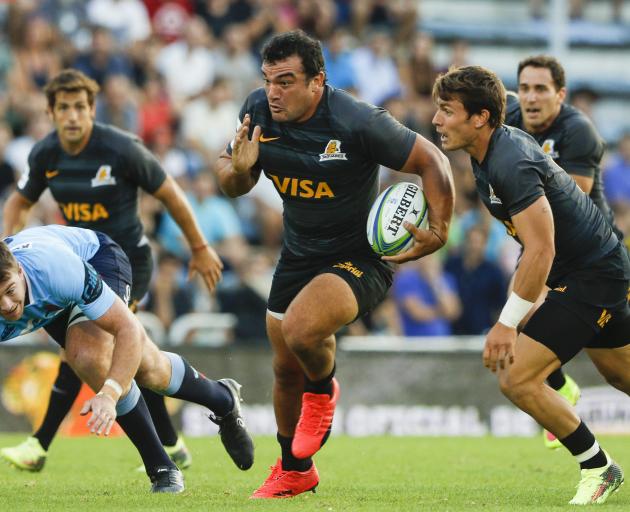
(477,88)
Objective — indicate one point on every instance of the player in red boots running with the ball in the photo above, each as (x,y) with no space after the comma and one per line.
(322,149)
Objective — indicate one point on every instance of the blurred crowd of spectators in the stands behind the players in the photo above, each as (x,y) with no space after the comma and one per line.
(175,72)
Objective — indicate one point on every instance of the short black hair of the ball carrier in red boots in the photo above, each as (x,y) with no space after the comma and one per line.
(296,42)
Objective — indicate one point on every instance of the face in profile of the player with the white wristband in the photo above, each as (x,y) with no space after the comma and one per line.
(454,124)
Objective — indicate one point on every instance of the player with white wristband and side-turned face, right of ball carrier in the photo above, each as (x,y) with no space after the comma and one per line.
(568,245)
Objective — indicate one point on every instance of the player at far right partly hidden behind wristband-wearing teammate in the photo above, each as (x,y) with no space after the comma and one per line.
(569,137)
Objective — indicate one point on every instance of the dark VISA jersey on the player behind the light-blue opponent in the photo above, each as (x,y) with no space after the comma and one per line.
(98,188)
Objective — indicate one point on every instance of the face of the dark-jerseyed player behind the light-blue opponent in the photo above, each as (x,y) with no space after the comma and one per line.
(73,118)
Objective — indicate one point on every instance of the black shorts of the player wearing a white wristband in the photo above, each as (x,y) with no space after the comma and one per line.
(582,313)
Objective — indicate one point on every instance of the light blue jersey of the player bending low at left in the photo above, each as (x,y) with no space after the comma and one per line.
(58,275)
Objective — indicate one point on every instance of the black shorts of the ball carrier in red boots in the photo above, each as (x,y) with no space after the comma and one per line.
(369,277)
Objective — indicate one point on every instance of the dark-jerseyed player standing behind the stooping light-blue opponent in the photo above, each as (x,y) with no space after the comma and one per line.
(94,172)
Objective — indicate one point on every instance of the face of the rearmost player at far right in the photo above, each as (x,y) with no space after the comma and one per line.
(539,98)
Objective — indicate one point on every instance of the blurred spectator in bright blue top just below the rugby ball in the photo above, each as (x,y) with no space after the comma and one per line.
(426,297)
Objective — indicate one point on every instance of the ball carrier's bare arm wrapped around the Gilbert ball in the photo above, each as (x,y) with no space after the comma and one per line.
(428,162)
